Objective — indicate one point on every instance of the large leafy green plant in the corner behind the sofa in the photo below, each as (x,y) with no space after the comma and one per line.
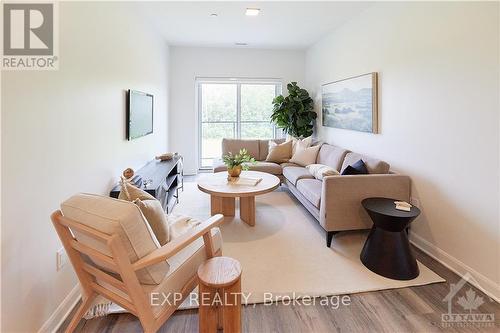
(295,112)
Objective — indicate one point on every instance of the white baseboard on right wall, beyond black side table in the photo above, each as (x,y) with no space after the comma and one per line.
(483,283)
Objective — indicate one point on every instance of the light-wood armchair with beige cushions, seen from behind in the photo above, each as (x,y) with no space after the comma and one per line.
(98,235)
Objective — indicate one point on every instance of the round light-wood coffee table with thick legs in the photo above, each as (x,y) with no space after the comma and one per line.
(223,193)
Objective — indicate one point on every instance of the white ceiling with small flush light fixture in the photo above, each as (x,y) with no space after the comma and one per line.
(280,25)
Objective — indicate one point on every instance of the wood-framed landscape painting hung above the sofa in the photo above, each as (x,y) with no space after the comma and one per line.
(351,103)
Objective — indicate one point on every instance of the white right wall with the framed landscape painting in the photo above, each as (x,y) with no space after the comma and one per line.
(438,66)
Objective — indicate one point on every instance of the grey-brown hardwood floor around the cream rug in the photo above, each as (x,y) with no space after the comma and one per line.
(414,309)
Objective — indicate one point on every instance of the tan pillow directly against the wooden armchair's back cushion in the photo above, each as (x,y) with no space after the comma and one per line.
(153,212)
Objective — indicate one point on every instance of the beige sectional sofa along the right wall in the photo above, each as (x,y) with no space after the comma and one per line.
(334,201)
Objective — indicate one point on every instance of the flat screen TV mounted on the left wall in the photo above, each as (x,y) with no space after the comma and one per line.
(139,114)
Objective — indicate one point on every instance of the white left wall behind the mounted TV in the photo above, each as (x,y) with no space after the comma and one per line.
(64,132)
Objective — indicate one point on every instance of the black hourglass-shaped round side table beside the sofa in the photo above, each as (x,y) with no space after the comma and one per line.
(387,249)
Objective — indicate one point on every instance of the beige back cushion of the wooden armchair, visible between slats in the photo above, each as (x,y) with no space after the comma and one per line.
(123,218)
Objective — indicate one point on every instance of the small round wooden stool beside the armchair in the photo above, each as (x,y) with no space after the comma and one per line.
(220,295)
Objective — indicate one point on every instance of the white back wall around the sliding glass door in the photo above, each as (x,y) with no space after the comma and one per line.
(187,63)
